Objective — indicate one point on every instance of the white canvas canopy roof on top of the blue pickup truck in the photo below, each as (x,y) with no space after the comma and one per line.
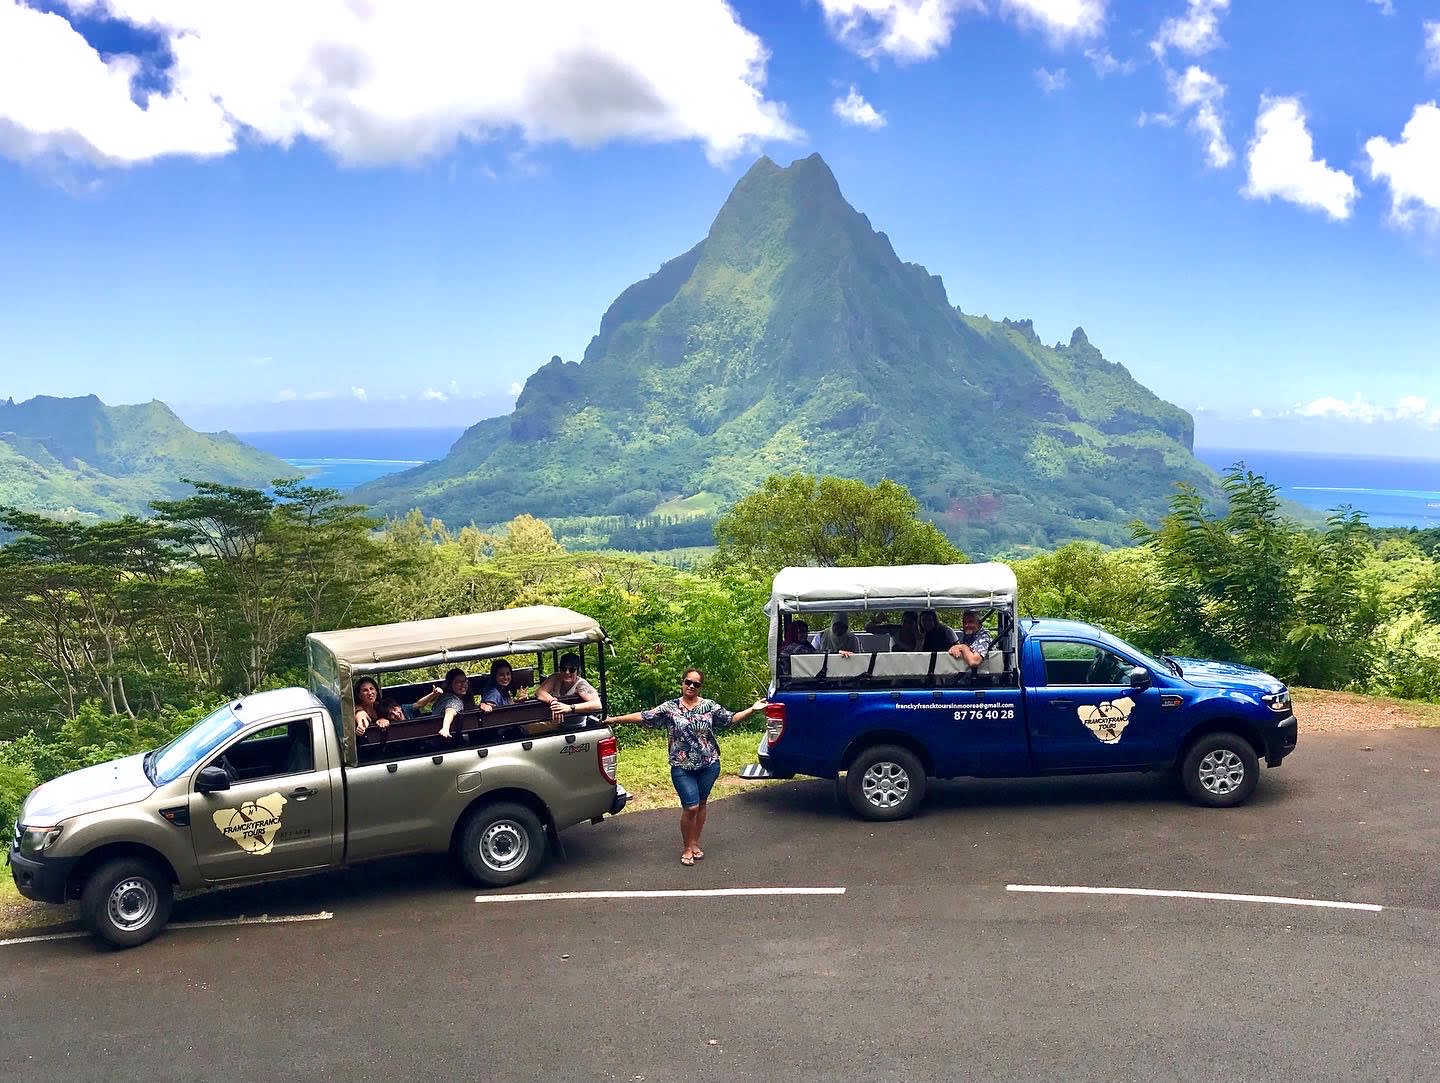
(908,587)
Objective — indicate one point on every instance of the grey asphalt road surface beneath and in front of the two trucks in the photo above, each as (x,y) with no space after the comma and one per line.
(924,967)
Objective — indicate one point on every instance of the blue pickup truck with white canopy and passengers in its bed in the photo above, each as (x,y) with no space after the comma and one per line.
(888,709)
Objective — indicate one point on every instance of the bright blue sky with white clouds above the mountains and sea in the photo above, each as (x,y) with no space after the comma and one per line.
(368,214)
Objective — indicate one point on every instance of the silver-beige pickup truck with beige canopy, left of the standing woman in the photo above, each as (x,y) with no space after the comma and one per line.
(280,783)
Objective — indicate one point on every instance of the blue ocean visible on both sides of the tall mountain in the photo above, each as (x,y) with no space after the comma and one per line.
(1392,492)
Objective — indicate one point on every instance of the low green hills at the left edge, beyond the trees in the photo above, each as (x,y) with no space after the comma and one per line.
(83,459)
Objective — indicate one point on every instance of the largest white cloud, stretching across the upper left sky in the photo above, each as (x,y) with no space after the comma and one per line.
(378,81)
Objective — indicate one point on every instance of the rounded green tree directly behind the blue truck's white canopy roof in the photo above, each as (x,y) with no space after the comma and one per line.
(830,523)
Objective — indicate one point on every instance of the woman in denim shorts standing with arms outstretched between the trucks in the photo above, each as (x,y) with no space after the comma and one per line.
(695,755)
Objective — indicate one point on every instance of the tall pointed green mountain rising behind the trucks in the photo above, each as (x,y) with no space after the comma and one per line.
(794,339)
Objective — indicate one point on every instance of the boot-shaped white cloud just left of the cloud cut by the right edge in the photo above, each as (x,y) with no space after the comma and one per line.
(1282,163)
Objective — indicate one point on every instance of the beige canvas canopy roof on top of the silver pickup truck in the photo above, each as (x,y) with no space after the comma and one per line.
(457,639)
